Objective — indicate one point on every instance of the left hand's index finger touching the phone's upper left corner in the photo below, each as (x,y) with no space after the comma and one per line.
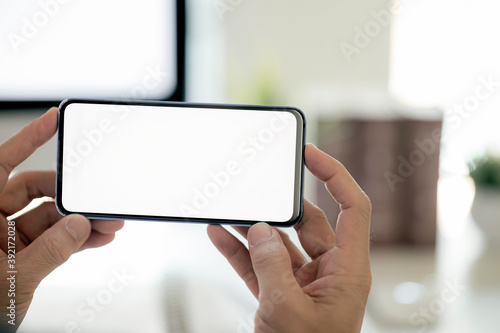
(22,144)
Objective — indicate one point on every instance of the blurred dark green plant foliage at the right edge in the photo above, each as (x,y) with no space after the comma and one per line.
(485,171)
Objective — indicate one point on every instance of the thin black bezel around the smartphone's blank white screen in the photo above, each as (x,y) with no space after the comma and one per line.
(299,161)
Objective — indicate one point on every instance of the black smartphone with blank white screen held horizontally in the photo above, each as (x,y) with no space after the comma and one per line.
(182,162)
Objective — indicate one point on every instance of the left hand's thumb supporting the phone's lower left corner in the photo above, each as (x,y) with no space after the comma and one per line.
(55,246)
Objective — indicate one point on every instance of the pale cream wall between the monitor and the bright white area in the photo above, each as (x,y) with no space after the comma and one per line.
(299,44)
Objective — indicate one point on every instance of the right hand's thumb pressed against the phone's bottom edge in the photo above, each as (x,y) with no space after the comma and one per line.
(271,262)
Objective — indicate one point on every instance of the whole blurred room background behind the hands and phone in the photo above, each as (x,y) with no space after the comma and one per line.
(404,93)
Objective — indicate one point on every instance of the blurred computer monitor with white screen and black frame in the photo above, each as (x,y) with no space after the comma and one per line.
(56,49)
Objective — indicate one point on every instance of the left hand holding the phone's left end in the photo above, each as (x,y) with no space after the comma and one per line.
(43,240)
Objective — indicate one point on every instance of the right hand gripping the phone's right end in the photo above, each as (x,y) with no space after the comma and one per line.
(326,293)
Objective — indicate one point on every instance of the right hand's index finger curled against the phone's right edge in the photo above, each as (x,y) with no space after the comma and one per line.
(353,224)
